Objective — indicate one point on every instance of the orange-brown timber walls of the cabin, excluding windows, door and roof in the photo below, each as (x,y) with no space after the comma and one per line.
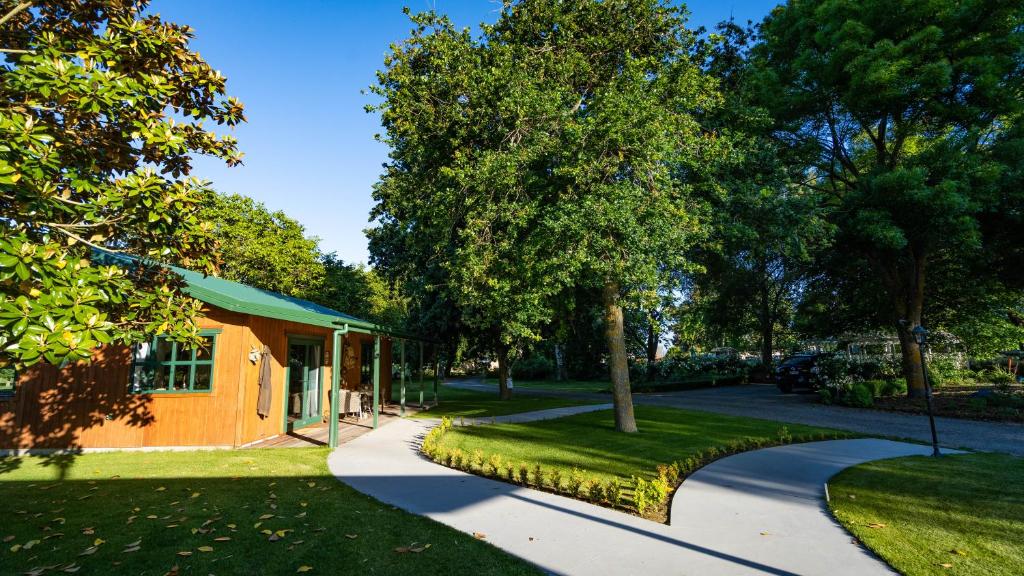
(89,405)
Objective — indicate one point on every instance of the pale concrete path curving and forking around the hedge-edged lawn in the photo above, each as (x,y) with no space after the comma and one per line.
(718,516)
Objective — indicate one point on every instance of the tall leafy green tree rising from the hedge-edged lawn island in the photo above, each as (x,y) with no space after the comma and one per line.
(554,152)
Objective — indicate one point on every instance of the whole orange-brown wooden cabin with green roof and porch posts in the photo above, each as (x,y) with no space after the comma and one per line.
(161,394)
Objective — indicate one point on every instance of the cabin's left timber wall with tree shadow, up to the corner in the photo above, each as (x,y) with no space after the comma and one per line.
(90,405)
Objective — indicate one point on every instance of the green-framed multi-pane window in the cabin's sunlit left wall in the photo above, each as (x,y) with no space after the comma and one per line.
(165,366)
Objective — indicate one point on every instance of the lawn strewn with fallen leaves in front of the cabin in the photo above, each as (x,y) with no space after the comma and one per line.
(172,503)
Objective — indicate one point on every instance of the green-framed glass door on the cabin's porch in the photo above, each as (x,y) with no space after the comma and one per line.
(303,401)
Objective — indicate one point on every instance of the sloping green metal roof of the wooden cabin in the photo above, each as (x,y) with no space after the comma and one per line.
(242,299)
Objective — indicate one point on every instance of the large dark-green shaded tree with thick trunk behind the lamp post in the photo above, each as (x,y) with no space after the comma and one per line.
(907,106)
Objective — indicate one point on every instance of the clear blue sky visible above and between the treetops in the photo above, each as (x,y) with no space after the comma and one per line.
(301,67)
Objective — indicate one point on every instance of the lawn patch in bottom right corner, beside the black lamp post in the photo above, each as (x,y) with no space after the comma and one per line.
(964,511)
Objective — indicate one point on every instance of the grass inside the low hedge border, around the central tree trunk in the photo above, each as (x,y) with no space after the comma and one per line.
(590,442)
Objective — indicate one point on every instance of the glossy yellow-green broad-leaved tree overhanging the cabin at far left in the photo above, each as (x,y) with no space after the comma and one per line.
(102,111)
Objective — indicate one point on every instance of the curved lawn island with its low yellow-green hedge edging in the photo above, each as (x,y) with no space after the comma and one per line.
(584,458)
